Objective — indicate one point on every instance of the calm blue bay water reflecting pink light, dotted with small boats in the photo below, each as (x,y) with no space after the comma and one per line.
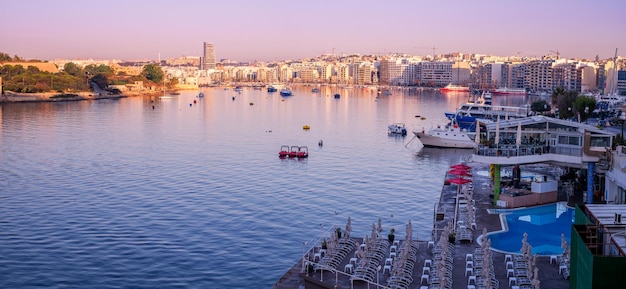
(116,194)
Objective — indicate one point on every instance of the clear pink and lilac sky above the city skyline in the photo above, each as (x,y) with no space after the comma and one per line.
(271,30)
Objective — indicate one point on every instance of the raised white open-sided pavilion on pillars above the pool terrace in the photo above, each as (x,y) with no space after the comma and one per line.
(541,139)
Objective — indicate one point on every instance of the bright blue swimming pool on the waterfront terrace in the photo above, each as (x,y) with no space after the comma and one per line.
(544,225)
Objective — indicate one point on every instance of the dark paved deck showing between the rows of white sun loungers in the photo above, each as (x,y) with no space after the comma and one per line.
(548,273)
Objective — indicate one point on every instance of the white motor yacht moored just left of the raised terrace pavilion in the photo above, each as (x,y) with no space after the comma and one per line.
(450,137)
